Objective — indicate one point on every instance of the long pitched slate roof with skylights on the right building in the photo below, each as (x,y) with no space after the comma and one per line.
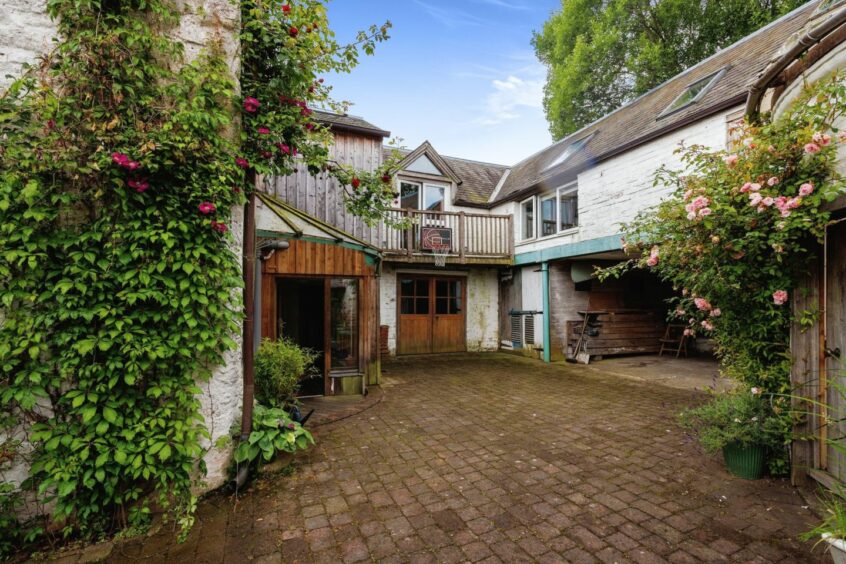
(640,120)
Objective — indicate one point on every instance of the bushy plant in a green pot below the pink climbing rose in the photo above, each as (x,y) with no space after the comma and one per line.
(739,424)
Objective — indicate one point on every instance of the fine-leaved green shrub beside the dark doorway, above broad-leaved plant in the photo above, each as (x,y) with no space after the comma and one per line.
(279,365)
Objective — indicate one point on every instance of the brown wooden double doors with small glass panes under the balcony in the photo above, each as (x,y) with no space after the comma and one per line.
(431,313)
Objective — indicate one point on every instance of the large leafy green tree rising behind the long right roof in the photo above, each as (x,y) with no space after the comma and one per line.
(603,53)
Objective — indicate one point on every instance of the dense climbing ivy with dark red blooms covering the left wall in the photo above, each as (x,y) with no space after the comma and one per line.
(119,170)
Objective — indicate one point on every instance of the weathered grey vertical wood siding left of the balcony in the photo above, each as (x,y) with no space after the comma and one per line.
(321,196)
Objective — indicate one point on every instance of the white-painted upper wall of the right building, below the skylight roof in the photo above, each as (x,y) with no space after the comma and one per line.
(615,190)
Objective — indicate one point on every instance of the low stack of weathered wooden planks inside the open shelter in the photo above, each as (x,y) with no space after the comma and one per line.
(615,332)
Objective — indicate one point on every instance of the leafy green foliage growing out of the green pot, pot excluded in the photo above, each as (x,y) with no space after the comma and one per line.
(743,417)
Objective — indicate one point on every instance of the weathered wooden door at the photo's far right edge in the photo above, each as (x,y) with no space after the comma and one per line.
(833,459)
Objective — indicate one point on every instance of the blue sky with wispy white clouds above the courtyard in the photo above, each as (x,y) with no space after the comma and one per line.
(460,73)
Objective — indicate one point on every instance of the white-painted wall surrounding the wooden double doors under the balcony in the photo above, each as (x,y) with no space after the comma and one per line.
(482,305)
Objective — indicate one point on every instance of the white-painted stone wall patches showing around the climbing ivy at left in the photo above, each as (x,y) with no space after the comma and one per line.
(25,33)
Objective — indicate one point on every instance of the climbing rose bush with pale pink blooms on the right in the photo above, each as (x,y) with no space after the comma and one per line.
(738,229)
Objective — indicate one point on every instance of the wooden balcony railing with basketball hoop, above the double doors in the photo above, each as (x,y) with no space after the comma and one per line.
(471,238)
